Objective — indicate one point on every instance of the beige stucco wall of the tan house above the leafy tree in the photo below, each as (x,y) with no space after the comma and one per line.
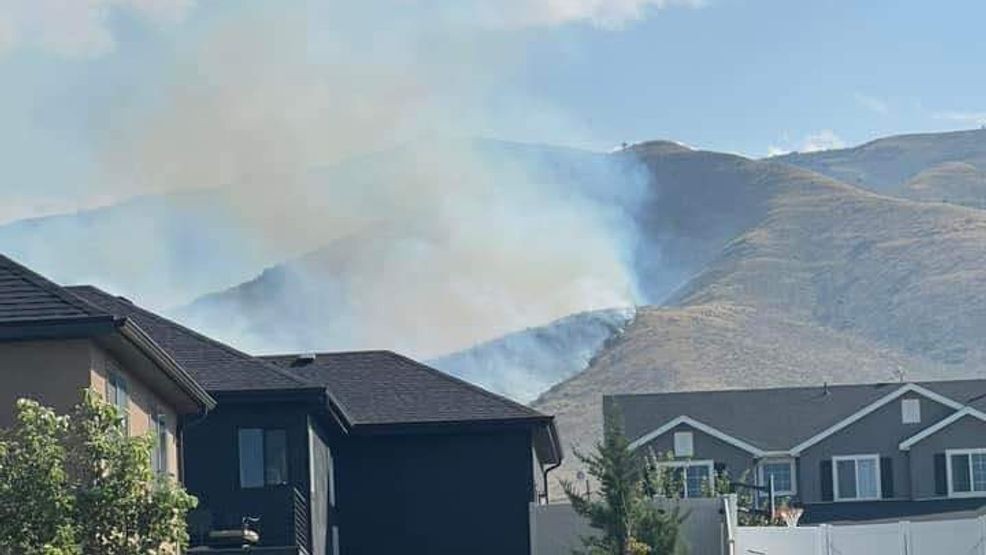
(55,373)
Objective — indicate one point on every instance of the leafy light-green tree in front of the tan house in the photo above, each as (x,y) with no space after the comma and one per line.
(79,484)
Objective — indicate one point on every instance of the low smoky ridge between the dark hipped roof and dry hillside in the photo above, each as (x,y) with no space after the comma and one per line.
(523,364)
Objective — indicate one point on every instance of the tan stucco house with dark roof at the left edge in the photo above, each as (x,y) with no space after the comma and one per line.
(53,345)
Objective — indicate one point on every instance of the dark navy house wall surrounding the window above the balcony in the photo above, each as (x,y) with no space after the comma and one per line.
(212,472)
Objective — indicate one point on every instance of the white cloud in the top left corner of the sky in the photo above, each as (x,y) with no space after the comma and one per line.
(76,28)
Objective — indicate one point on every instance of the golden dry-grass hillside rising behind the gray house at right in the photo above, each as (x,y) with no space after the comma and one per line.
(833,284)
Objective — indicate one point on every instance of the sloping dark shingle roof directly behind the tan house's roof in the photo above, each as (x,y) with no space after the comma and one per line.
(216,366)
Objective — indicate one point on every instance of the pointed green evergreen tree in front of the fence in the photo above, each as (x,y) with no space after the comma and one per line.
(624,513)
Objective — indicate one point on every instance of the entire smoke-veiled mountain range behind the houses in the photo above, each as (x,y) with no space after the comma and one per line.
(838,266)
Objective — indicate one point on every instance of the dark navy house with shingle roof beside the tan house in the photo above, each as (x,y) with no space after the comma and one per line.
(352,453)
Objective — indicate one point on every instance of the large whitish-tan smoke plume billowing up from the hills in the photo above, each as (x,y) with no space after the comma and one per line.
(445,242)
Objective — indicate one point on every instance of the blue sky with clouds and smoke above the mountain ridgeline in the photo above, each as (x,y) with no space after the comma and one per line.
(132,96)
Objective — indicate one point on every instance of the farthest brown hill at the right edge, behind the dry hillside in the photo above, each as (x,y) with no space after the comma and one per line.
(940,167)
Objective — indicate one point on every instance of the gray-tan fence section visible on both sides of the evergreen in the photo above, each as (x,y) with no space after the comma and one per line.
(557,530)
